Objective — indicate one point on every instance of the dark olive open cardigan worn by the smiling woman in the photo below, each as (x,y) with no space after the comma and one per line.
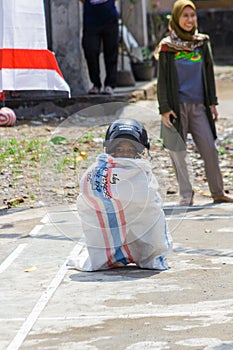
(168,97)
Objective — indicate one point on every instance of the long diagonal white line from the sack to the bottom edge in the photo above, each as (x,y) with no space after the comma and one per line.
(38,308)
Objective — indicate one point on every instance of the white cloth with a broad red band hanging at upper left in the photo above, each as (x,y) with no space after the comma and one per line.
(25,61)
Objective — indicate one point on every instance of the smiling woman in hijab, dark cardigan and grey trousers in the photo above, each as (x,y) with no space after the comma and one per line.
(187,99)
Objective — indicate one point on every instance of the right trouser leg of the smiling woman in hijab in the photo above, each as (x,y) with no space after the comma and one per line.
(204,140)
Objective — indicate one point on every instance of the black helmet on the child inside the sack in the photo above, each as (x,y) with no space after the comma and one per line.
(129,129)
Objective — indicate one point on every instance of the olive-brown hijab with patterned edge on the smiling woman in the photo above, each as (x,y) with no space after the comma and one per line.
(179,39)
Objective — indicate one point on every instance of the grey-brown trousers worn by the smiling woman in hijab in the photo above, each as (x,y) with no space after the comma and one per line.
(194,120)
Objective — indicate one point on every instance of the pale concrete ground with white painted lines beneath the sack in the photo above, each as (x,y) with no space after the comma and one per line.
(45,305)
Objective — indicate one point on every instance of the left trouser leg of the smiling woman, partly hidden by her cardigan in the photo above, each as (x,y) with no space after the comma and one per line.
(179,163)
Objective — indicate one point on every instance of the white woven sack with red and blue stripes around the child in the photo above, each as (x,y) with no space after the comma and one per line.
(122,218)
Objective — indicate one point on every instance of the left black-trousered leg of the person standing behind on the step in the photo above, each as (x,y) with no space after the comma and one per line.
(91,43)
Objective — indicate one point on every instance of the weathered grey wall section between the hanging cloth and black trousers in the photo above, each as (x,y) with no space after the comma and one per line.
(66,24)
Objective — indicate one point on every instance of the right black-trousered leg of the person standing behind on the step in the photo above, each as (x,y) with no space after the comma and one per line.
(110,47)
